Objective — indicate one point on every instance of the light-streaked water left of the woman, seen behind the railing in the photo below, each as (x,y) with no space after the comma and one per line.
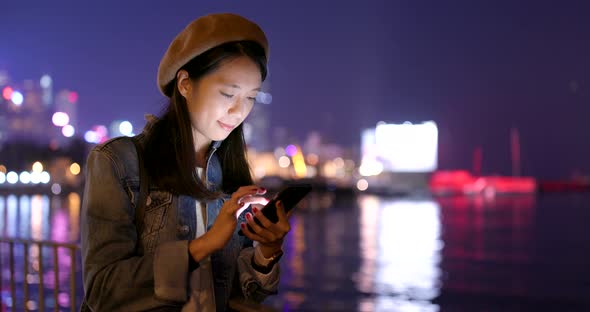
(39,217)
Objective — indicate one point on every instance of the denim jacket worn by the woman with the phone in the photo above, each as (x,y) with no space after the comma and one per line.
(124,272)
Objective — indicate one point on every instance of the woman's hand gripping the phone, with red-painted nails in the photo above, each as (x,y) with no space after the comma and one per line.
(270,235)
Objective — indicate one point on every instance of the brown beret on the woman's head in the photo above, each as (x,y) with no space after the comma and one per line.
(202,34)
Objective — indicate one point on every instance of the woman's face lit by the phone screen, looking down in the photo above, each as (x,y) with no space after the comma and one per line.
(221,100)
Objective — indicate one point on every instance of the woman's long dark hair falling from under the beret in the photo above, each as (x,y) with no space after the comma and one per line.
(170,157)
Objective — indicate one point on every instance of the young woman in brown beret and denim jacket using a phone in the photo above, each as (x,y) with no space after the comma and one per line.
(185,252)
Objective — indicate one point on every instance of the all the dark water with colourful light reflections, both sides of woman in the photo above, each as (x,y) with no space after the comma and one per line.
(370,253)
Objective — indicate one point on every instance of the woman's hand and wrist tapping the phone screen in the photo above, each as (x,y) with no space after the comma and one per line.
(226,221)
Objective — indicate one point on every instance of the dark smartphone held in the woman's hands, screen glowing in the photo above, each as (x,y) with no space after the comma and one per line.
(289,196)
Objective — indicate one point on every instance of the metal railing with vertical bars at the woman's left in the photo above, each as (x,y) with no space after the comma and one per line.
(54,246)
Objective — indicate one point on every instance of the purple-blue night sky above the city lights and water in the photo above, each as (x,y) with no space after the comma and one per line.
(477,68)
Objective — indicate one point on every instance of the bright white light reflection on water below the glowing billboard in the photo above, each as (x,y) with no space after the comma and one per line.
(400,252)
